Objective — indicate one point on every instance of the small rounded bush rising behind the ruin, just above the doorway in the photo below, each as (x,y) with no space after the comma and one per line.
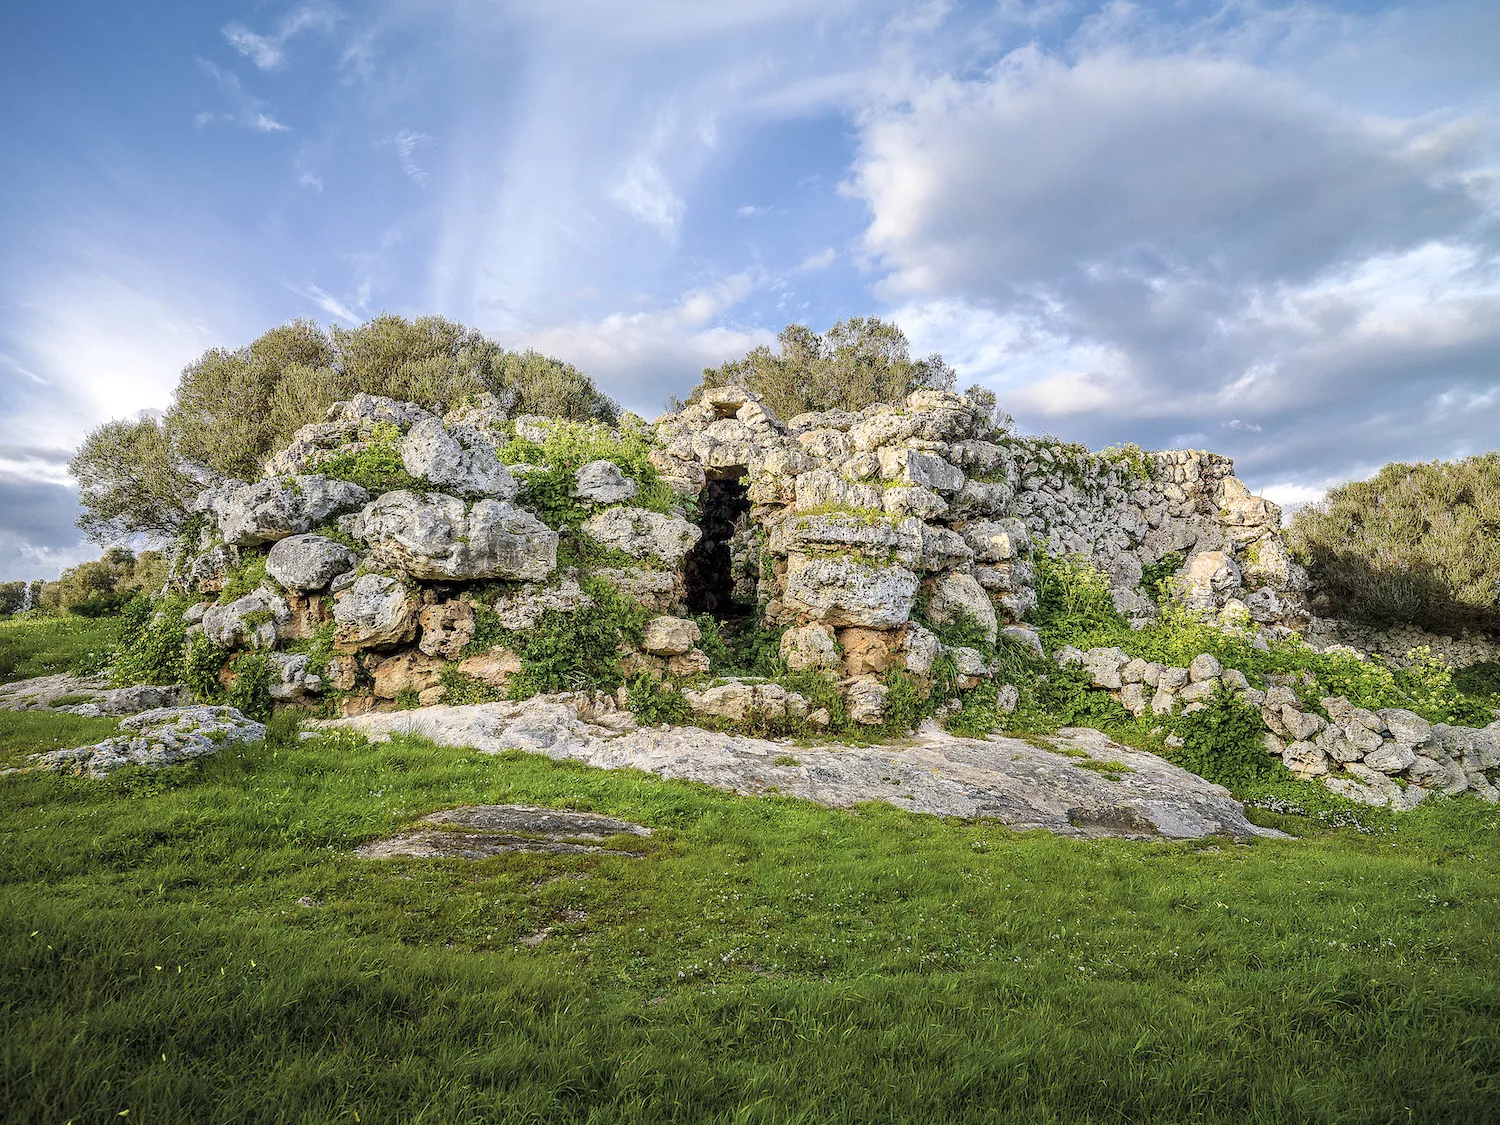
(856,364)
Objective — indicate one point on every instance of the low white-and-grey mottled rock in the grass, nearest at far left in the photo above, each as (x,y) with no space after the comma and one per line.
(167,736)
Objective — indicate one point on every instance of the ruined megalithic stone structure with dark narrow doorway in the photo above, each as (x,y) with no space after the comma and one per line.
(854,530)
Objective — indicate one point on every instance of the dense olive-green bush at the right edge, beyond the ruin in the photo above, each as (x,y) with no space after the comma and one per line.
(1415,545)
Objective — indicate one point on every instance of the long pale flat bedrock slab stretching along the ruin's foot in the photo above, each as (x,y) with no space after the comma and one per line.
(1076,784)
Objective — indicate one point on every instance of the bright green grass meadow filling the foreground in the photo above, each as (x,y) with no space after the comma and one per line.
(767,961)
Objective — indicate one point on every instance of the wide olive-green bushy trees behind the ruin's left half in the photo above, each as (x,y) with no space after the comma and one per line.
(235,409)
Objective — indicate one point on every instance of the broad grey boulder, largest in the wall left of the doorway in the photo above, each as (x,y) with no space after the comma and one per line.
(442,538)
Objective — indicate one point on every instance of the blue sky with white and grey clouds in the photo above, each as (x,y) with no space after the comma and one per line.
(1267,230)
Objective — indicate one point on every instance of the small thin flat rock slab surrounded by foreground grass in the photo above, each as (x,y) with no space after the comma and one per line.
(487,830)
